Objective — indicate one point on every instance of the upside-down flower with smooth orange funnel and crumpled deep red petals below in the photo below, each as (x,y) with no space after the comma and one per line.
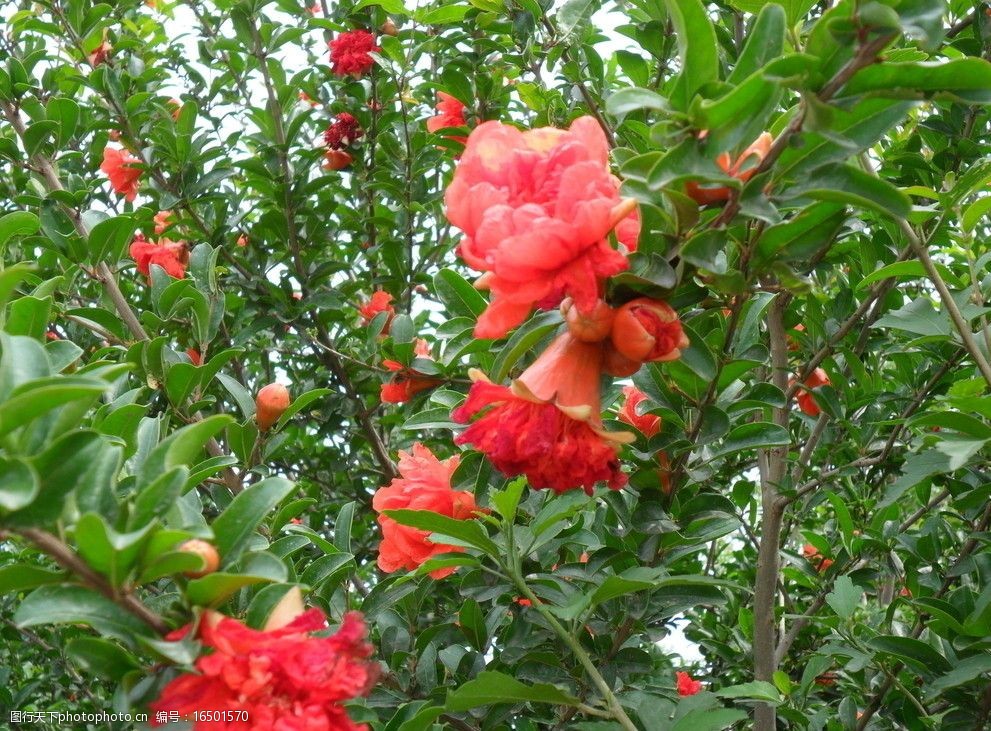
(547,425)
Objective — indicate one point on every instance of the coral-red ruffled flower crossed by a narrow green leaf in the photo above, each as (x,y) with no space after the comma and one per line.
(424,484)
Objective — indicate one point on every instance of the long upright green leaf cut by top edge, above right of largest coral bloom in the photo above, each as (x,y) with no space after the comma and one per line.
(696,47)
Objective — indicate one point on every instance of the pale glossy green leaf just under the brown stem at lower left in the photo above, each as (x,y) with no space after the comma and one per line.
(67,604)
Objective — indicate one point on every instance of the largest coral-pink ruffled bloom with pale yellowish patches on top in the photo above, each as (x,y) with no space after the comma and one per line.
(536,208)
